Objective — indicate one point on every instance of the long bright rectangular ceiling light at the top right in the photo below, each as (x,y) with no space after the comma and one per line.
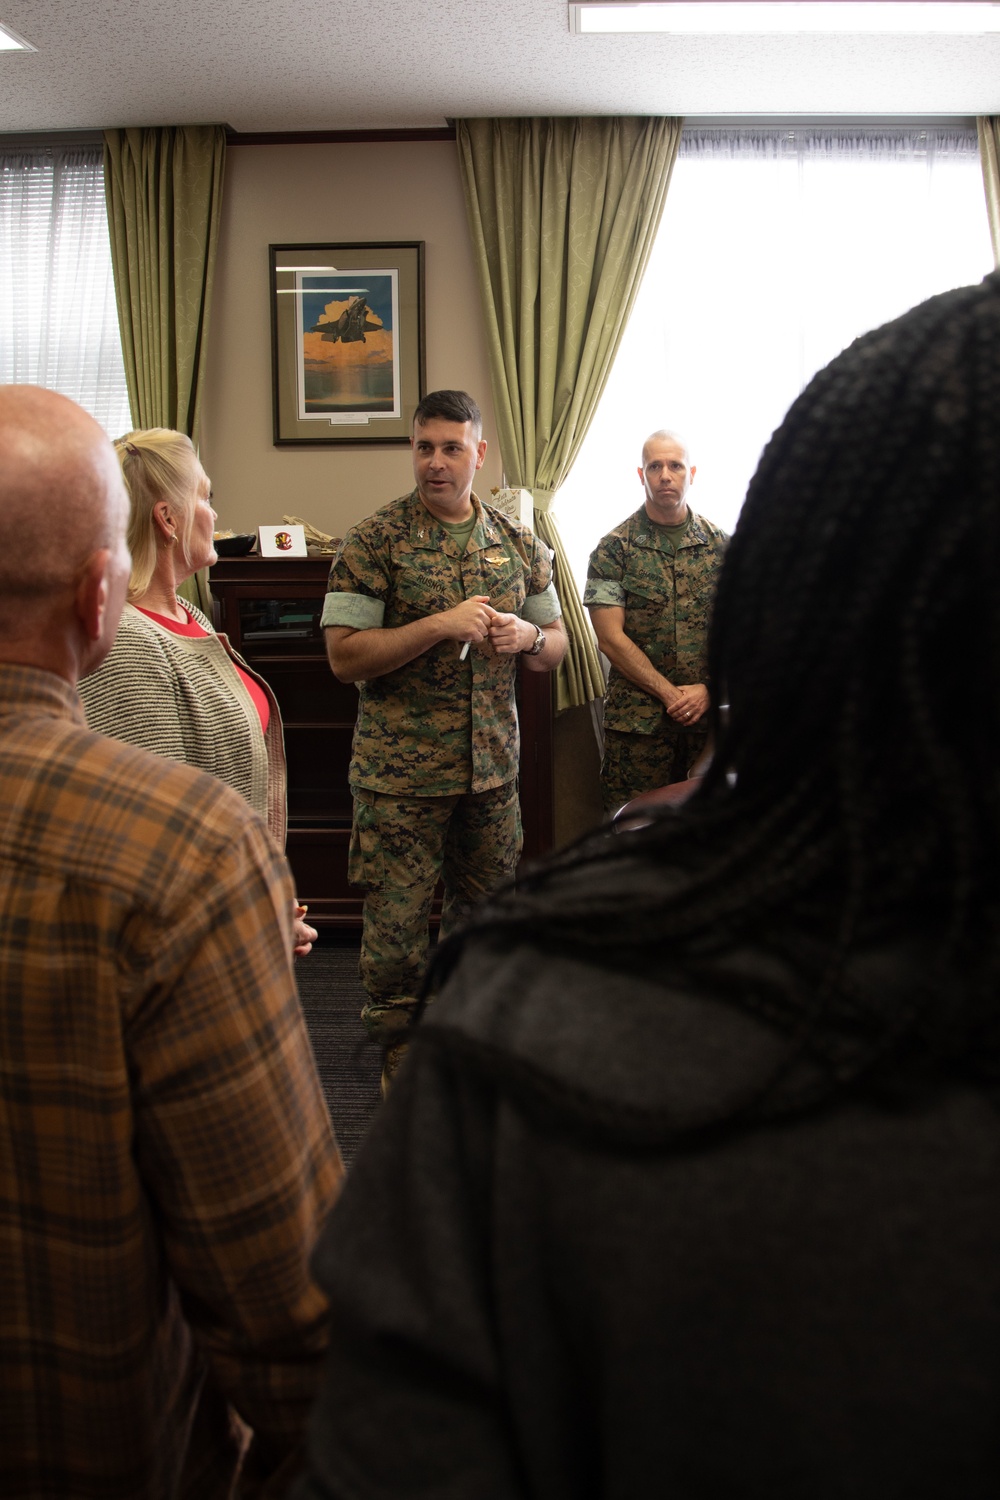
(762,17)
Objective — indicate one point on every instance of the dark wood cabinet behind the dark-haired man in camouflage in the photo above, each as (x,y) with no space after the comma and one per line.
(271,611)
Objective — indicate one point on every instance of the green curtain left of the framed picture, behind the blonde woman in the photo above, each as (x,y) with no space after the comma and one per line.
(164,191)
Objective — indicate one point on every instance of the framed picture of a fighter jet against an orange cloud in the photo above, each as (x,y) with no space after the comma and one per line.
(347,341)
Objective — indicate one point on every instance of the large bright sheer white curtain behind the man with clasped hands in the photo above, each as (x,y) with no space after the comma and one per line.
(776,250)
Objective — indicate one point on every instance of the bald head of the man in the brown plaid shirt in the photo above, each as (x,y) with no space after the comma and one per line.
(62,518)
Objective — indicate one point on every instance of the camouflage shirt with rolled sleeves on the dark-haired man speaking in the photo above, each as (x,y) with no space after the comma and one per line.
(437,725)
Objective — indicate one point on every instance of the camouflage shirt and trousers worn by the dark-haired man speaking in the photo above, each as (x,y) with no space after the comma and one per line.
(434,769)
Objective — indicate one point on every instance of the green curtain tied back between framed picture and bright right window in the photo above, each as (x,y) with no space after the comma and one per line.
(563,215)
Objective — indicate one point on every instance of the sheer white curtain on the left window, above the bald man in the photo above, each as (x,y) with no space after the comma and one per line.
(59,323)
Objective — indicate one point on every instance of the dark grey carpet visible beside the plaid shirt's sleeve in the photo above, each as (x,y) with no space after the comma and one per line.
(350,1067)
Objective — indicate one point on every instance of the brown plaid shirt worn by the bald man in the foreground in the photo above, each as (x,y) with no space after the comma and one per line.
(166,1153)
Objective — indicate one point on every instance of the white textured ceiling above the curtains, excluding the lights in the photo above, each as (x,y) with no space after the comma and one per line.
(323,65)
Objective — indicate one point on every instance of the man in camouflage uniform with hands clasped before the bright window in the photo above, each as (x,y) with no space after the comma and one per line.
(663,578)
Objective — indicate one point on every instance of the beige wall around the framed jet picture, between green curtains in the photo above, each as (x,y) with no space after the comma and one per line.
(292,194)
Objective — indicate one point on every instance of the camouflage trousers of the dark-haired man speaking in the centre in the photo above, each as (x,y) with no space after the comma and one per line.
(400,850)
